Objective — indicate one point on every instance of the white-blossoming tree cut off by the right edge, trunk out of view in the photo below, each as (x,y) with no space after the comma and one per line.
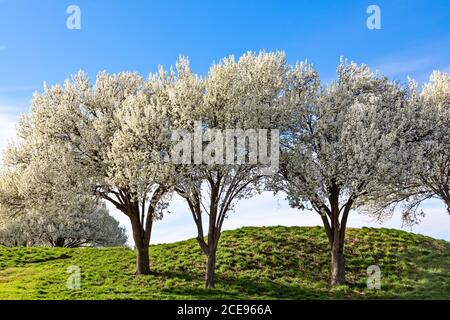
(422,170)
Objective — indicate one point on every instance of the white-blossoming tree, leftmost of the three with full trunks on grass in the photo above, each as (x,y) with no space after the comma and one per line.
(104,139)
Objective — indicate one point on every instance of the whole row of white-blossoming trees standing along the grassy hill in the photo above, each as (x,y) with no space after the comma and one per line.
(361,142)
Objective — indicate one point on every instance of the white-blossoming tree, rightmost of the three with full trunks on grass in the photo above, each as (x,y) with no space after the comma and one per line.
(335,148)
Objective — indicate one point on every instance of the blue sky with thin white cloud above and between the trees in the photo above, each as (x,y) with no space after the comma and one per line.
(120,35)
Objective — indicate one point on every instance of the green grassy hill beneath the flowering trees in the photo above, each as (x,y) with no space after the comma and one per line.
(253,263)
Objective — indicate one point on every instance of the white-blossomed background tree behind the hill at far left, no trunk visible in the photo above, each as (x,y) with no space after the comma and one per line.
(41,204)
